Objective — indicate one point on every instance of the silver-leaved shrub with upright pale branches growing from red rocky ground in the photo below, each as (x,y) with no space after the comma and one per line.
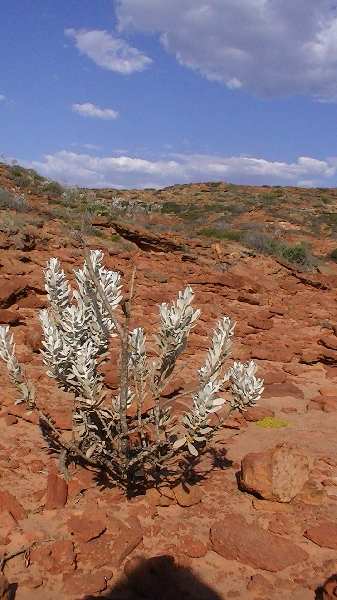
(135,430)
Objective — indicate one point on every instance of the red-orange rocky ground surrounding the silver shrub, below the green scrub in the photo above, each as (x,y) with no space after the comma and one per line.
(259,527)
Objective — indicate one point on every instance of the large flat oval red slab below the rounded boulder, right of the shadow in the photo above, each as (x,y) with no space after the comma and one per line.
(235,539)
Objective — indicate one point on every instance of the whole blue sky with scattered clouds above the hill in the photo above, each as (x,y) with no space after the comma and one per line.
(149,93)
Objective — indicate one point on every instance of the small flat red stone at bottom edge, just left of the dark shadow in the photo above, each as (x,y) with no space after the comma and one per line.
(86,583)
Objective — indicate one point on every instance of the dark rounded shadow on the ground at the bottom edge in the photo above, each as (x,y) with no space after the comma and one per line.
(157,578)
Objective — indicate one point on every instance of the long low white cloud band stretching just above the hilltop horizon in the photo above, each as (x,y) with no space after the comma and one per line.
(124,171)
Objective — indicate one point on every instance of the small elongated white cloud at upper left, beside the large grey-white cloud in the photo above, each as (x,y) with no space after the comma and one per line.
(109,52)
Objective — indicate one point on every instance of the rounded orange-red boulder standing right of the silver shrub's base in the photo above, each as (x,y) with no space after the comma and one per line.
(277,474)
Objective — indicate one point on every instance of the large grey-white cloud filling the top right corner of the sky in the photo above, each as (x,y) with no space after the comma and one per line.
(266,47)
